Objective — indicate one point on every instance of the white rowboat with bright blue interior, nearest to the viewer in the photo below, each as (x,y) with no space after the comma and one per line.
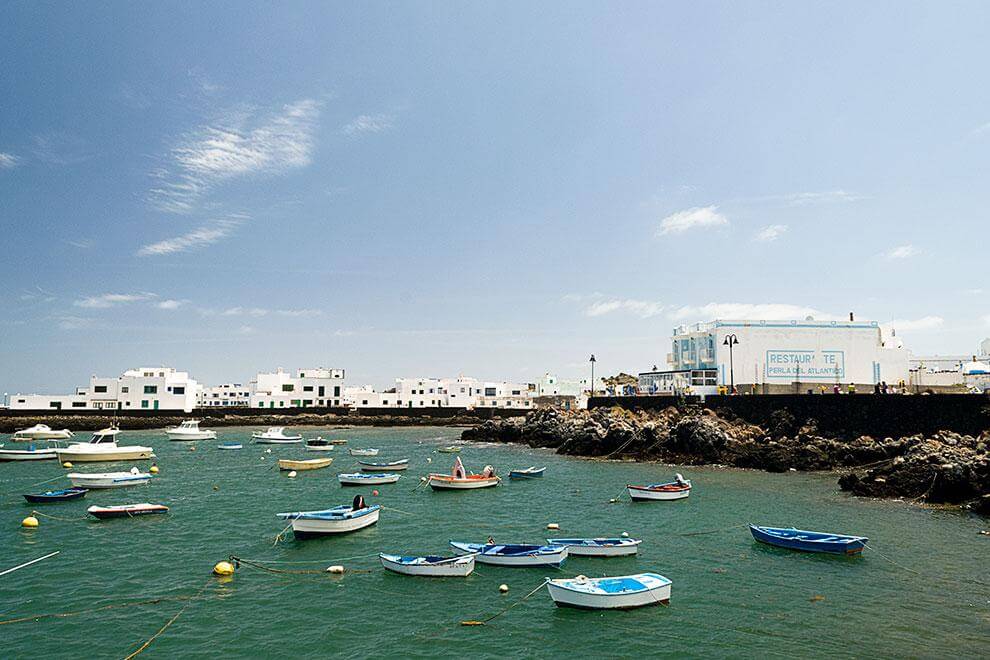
(610,593)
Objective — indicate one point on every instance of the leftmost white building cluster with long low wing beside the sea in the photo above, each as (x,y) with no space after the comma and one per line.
(147,388)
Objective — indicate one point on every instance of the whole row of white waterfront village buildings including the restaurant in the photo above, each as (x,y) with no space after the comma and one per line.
(717,357)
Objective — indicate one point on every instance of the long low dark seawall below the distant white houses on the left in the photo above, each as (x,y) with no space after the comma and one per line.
(88,420)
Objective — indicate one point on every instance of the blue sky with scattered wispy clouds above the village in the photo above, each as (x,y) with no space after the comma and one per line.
(490,189)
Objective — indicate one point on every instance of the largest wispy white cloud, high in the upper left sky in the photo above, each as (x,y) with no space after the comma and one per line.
(236,145)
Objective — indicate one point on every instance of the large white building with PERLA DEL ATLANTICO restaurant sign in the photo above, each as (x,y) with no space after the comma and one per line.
(778,357)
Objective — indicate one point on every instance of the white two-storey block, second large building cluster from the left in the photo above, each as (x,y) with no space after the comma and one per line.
(317,387)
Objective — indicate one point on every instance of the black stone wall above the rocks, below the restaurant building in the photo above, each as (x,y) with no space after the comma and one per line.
(840,415)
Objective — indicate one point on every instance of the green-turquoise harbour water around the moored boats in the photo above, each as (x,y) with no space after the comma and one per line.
(731,596)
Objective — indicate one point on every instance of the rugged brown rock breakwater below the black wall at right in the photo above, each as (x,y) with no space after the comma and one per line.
(946,467)
